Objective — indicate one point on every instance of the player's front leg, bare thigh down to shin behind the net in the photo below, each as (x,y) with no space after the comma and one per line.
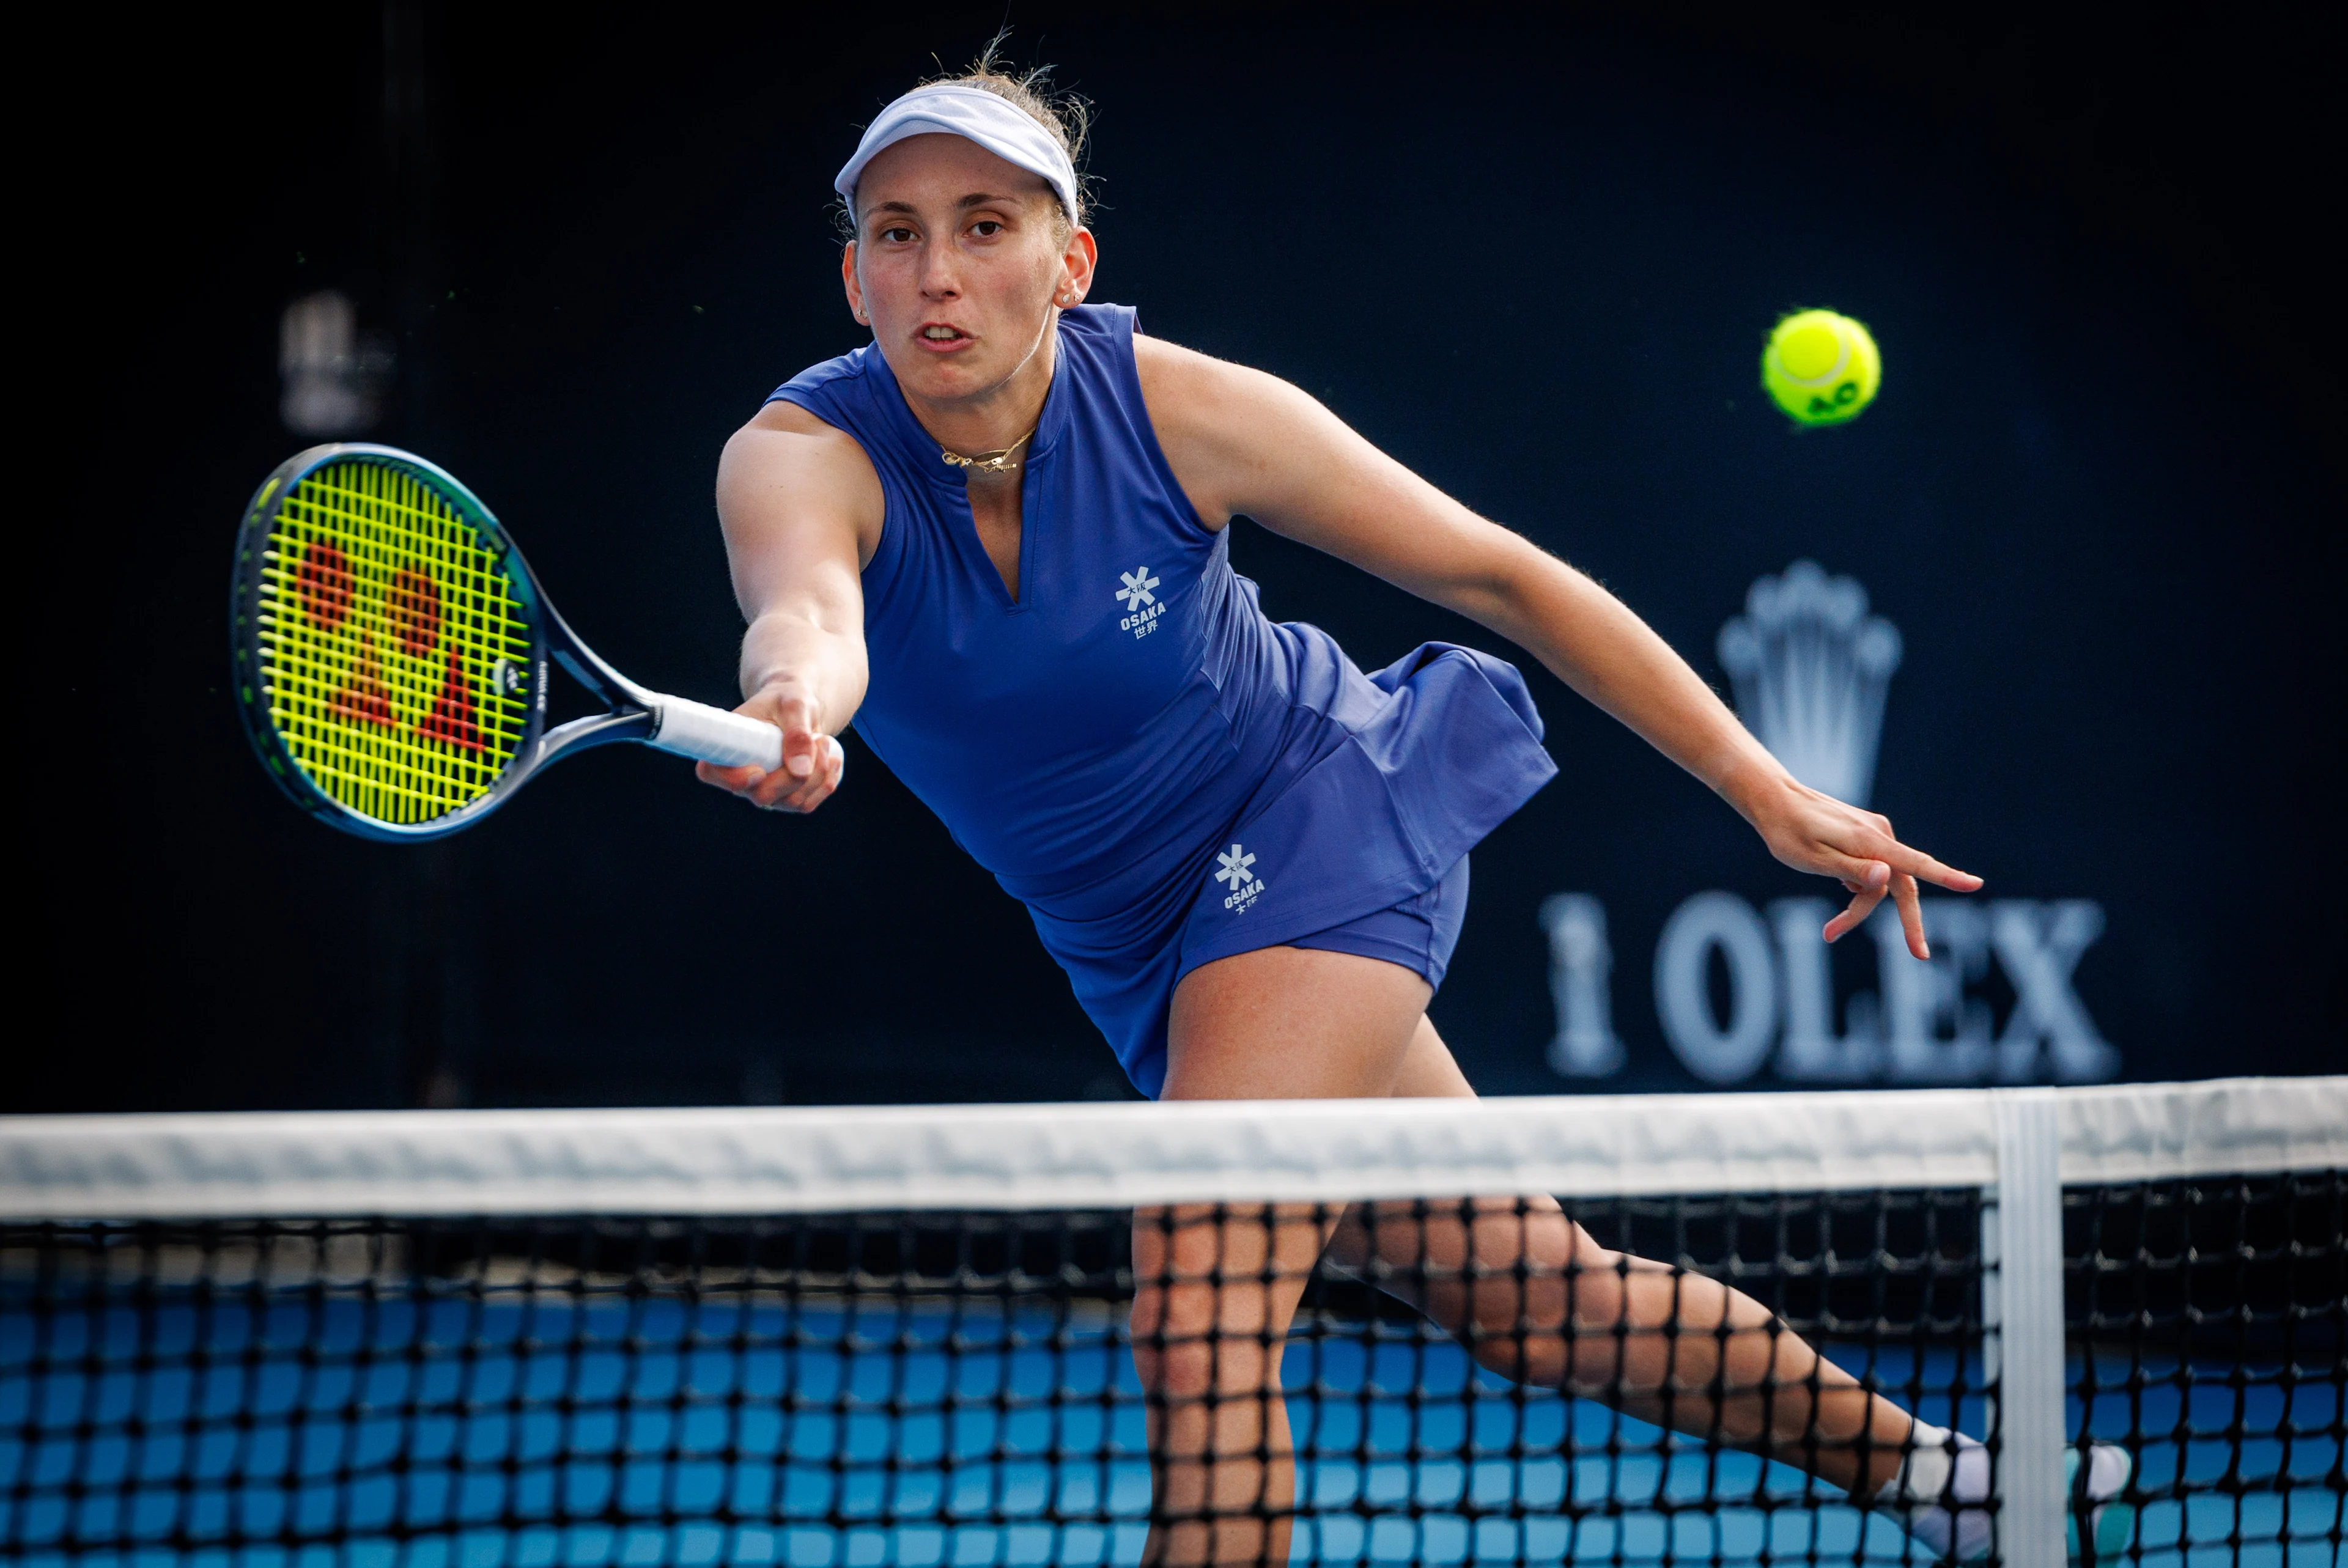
(1220,1285)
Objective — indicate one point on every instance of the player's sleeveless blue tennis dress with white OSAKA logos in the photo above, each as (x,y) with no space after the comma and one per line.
(1152,766)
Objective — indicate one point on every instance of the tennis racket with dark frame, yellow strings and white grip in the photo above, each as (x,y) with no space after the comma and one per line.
(393,654)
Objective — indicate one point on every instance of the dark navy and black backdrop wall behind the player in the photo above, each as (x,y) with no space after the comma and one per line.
(2100,494)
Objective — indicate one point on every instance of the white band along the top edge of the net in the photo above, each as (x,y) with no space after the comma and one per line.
(802,1161)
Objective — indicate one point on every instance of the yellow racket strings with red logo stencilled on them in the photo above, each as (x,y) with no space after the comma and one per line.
(396,654)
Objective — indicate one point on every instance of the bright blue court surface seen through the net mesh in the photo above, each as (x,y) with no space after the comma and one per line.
(544,1428)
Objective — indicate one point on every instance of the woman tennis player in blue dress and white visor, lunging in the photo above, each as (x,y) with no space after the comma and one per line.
(997,541)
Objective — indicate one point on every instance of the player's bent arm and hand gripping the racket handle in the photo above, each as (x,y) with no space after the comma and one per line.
(802,513)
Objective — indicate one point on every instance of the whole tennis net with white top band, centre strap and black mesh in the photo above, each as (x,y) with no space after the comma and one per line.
(1041,1334)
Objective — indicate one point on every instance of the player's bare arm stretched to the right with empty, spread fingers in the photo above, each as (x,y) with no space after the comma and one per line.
(1250,442)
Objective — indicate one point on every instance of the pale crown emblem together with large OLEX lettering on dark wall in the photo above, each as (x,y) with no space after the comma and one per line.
(1741,989)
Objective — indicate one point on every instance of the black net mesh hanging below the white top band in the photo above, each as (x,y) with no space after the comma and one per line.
(992,1388)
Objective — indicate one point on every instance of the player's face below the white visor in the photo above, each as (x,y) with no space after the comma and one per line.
(957,266)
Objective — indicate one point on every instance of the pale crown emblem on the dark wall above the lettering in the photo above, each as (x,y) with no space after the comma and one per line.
(1811,670)
